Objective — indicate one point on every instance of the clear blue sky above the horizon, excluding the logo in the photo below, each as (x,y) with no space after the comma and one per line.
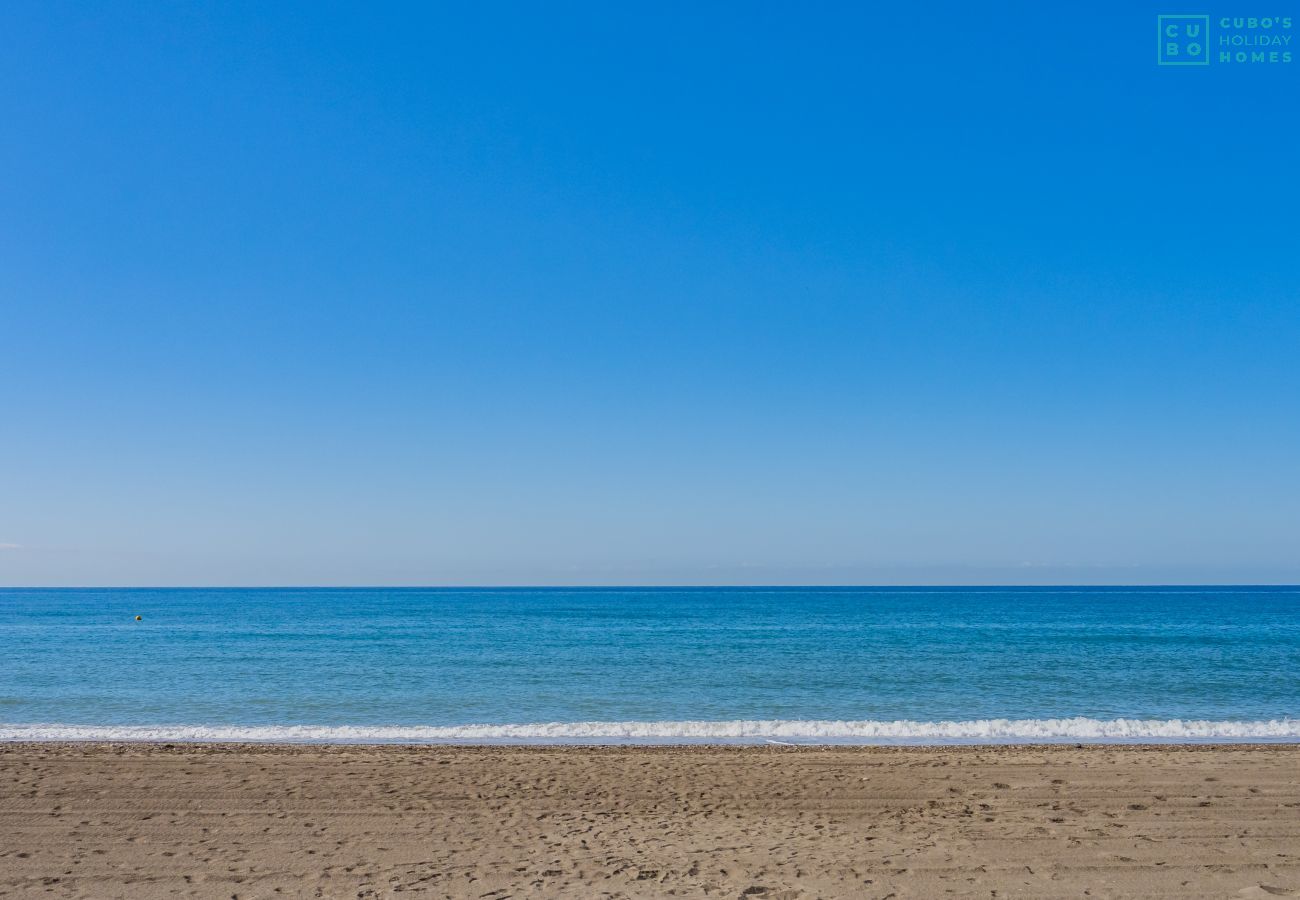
(655,293)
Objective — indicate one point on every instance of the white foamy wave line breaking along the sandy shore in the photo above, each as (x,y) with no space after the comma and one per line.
(976,732)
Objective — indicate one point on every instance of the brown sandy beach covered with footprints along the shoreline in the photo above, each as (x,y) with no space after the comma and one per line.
(237,821)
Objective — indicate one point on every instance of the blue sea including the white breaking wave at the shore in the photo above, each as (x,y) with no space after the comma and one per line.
(800,665)
